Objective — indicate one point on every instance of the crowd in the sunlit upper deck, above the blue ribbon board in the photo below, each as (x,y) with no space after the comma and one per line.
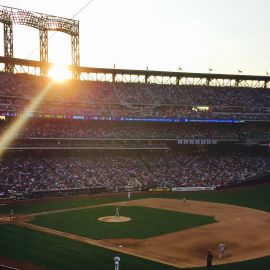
(135,100)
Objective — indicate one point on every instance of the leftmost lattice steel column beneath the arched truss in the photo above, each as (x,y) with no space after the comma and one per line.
(8,45)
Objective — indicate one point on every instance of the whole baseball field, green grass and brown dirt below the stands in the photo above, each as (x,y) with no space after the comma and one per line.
(158,231)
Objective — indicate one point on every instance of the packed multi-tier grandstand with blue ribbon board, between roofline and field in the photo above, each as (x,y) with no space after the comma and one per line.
(109,136)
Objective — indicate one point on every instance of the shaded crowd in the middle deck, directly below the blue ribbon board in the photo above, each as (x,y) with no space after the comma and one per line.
(114,130)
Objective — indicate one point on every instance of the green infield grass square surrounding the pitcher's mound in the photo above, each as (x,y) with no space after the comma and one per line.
(145,222)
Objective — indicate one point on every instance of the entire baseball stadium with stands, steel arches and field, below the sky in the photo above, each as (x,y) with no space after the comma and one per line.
(129,169)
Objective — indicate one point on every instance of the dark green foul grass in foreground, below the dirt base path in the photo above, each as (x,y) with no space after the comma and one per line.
(58,253)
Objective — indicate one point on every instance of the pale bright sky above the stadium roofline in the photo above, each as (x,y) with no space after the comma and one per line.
(194,35)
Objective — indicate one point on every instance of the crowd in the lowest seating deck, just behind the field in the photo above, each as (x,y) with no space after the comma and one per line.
(115,171)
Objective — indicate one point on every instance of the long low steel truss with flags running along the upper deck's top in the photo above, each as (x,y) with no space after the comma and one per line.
(144,76)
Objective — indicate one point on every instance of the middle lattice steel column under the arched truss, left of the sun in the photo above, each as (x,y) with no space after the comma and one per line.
(43,44)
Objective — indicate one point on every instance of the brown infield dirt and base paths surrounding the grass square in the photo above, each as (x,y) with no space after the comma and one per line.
(235,225)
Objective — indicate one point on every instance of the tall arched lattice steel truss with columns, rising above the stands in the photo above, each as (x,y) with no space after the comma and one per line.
(44,23)
